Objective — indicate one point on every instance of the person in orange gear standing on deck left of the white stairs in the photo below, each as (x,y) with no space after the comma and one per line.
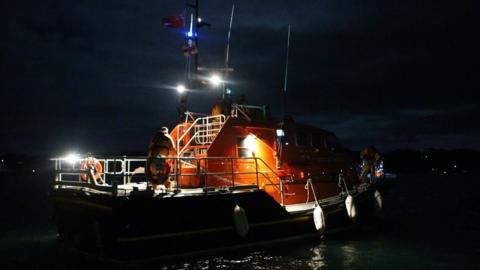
(161,147)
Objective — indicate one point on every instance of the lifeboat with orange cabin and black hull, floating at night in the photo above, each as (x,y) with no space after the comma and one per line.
(240,178)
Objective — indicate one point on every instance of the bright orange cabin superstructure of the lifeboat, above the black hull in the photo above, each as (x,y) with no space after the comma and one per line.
(247,148)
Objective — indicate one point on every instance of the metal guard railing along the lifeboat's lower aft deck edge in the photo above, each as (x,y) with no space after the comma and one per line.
(206,172)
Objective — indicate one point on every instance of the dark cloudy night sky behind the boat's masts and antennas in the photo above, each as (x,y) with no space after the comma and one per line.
(97,75)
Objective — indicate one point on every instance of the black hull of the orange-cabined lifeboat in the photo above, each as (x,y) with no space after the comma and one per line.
(146,226)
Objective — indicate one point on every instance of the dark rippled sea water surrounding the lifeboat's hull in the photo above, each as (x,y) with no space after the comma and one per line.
(428,222)
